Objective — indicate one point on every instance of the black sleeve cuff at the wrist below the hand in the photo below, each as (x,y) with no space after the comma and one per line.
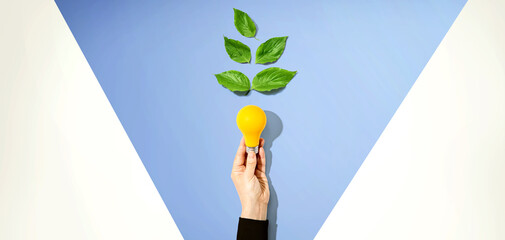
(249,229)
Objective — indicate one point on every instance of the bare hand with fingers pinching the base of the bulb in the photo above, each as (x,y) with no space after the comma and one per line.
(248,175)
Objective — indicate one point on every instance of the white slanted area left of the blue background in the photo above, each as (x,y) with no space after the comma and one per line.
(67,168)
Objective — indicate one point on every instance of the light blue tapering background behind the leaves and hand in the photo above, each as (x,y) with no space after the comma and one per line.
(356,61)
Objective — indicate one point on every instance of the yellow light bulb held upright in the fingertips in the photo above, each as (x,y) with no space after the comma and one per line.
(251,121)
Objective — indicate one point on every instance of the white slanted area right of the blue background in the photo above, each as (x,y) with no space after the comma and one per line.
(437,170)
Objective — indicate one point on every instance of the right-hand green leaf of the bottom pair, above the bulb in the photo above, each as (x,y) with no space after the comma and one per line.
(272,78)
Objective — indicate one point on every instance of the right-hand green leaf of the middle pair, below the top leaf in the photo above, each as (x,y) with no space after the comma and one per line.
(271,50)
